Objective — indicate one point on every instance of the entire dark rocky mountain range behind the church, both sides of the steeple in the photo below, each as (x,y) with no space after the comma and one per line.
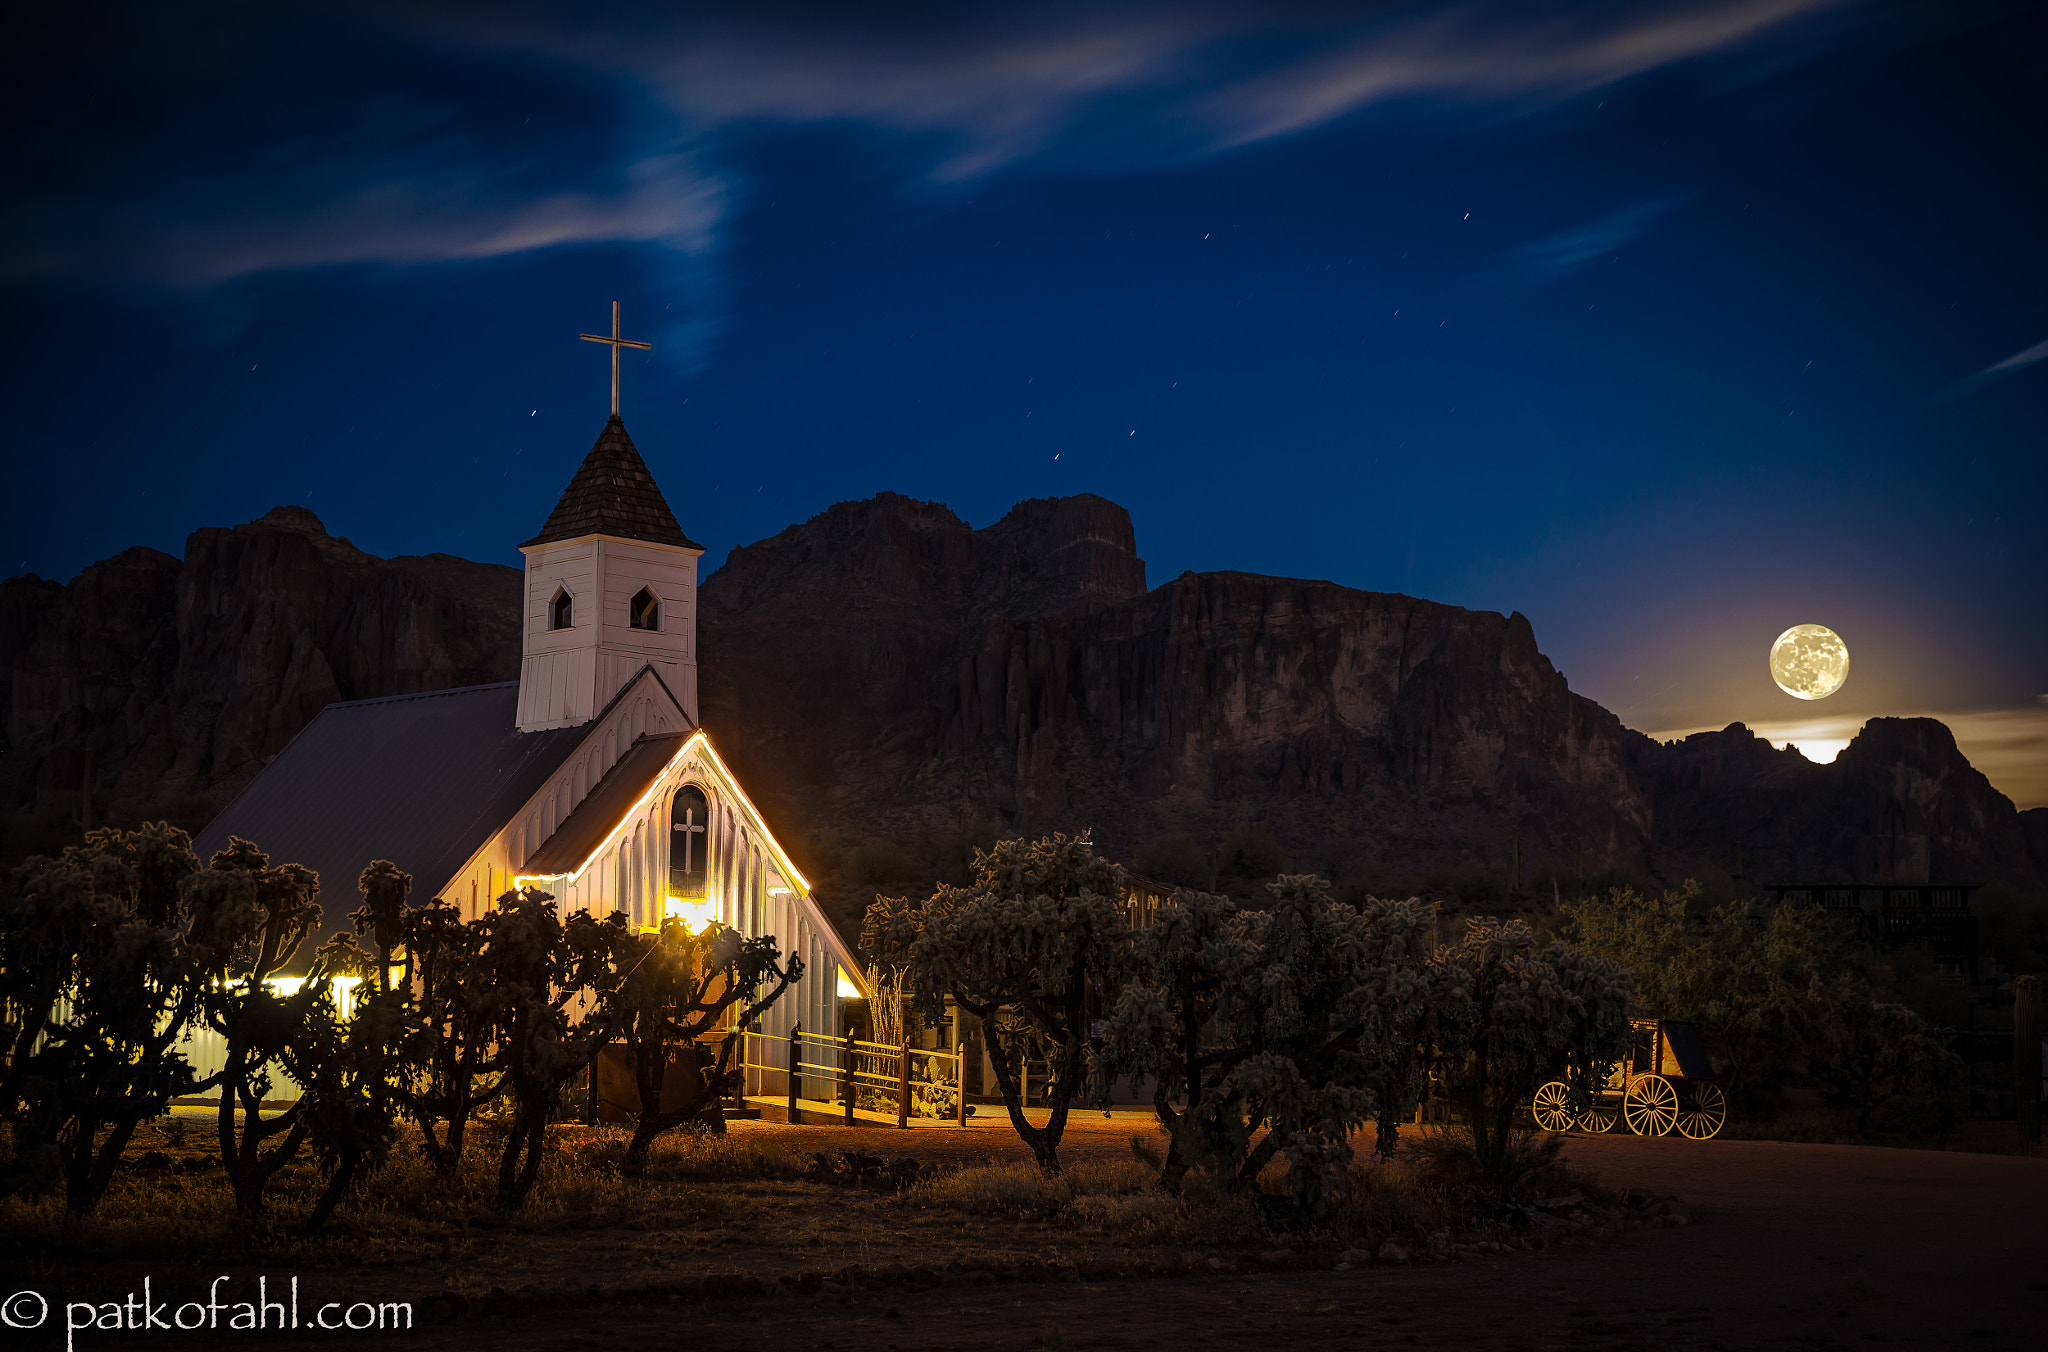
(888,673)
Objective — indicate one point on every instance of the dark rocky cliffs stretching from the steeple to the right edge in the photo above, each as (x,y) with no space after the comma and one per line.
(886,671)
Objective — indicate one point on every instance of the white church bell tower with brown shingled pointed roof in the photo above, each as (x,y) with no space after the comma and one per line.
(611,587)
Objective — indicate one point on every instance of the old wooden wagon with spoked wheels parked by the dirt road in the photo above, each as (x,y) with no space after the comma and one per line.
(1666,1083)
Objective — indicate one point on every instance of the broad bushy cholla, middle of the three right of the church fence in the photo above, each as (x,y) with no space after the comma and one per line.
(1304,1021)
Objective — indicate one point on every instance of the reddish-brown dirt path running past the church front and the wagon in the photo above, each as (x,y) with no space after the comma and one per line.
(1795,1247)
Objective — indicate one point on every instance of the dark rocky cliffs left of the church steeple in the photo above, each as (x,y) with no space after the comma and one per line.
(171,679)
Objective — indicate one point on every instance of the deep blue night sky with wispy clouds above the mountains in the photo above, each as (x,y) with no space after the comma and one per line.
(1664,325)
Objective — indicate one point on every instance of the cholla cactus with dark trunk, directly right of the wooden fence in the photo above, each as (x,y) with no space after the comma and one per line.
(1027,947)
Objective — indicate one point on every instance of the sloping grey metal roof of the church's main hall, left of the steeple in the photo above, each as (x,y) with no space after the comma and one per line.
(419,779)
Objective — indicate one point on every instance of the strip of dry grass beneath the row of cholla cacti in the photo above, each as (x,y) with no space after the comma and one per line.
(708,1189)
